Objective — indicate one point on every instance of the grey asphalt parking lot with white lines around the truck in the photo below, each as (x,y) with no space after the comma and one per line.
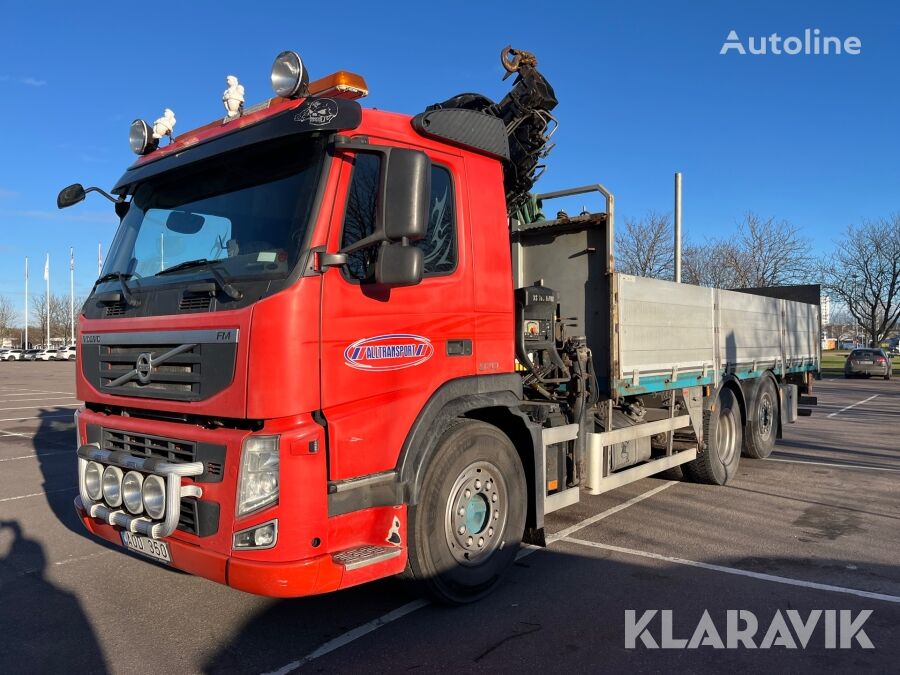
(815,527)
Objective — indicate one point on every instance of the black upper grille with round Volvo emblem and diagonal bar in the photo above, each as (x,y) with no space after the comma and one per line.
(174,365)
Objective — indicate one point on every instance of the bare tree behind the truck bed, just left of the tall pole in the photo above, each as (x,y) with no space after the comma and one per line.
(645,247)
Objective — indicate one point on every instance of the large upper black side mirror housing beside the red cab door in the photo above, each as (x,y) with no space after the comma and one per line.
(406,194)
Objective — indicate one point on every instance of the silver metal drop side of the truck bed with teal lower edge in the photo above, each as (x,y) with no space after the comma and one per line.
(676,335)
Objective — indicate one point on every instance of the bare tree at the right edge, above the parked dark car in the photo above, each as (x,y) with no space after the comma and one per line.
(864,274)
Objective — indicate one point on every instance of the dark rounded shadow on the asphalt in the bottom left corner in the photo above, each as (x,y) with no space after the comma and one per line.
(44,628)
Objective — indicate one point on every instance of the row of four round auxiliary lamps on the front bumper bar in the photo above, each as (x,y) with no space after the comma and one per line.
(139,493)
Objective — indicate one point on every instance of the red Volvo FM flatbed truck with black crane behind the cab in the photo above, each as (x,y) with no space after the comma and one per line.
(331,345)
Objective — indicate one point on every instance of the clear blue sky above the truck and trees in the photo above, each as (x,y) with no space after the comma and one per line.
(643,93)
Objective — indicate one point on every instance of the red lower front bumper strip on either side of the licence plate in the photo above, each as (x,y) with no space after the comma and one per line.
(275,579)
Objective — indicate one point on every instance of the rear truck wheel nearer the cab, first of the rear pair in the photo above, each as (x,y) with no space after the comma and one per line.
(718,463)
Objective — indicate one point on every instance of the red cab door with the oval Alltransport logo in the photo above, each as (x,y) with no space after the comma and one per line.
(386,350)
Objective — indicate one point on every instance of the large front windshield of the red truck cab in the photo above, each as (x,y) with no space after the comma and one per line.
(249,210)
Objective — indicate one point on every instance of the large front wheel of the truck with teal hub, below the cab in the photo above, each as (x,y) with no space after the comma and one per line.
(465,531)
